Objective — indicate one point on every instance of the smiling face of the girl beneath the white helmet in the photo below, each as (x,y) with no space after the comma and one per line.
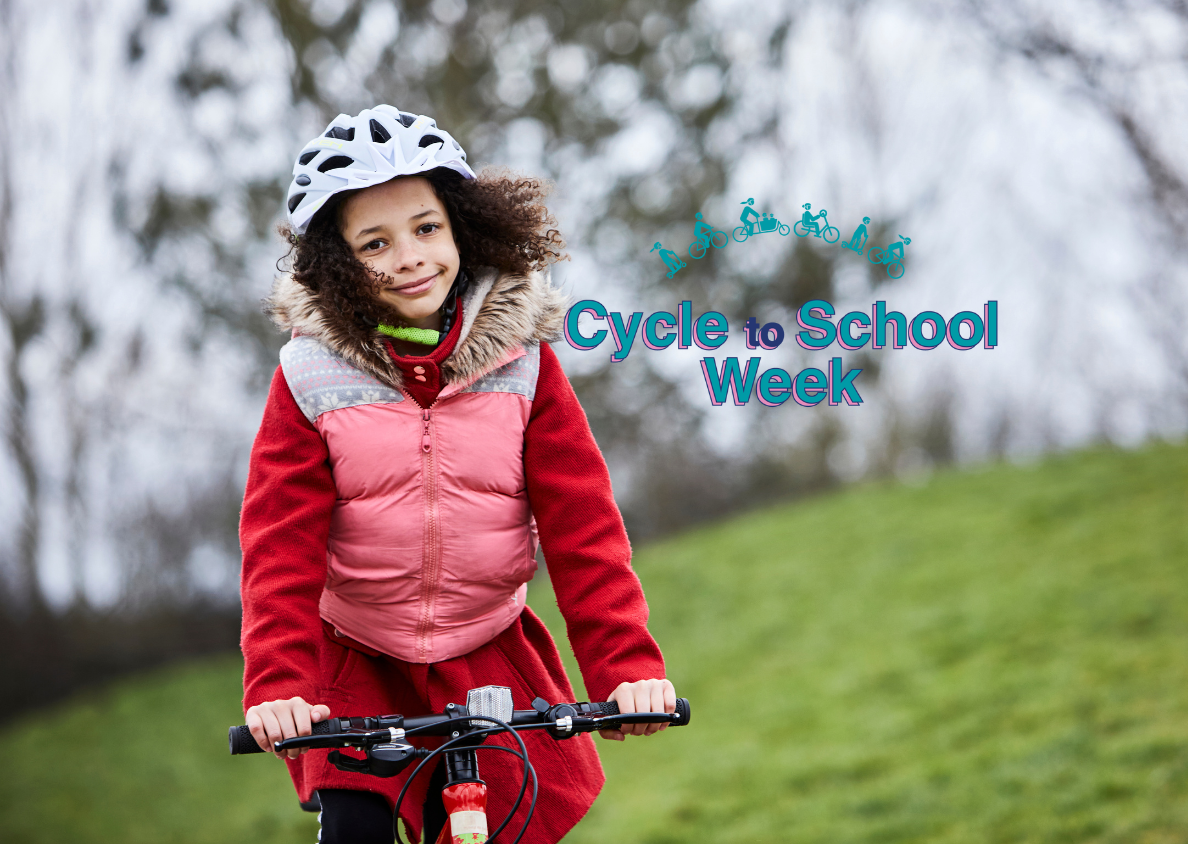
(401,231)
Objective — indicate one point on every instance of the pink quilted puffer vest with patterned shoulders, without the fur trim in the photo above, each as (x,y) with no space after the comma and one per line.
(432,540)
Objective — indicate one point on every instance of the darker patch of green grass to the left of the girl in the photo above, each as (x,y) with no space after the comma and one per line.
(146,763)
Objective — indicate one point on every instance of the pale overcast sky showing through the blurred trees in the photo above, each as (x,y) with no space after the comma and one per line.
(1012,186)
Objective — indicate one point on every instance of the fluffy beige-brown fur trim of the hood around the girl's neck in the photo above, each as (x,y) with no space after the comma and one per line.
(500,313)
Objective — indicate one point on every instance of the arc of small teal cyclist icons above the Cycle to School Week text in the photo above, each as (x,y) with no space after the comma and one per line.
(818,225)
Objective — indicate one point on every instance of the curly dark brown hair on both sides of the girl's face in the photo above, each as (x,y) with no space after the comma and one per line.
(500,221)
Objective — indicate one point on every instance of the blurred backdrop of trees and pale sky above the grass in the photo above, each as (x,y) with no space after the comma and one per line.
(1033,150)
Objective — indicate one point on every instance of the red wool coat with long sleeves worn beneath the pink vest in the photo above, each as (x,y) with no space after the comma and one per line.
(288,652)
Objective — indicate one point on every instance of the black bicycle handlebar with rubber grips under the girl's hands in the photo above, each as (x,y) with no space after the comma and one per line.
(563,719)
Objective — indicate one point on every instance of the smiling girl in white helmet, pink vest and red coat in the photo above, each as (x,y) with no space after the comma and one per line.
(420,439)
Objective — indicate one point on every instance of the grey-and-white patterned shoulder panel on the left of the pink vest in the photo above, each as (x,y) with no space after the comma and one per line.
(321,381)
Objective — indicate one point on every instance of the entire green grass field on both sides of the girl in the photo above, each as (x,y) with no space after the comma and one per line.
(993,656)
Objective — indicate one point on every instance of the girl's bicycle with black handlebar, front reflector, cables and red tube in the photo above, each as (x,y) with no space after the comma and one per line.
(465,796)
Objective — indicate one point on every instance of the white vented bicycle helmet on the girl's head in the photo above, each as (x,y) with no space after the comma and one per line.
(374,147)
